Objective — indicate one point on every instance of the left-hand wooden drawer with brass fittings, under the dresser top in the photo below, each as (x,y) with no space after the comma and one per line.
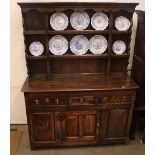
(48,101)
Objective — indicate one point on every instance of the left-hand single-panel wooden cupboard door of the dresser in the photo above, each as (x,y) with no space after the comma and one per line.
(42,127)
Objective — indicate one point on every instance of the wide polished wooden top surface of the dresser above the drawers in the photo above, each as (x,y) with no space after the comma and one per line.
(78,82)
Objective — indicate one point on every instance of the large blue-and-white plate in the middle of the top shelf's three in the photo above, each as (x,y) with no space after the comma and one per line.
(79,20)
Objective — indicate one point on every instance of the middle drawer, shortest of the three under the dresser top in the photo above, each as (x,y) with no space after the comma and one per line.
(82,100)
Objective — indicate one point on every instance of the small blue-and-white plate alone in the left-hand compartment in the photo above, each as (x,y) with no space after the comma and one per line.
(36,48)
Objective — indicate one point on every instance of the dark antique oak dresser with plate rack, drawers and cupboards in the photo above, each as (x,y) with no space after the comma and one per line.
(77,99)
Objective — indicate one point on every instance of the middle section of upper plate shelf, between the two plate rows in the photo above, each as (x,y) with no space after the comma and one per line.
(79,32)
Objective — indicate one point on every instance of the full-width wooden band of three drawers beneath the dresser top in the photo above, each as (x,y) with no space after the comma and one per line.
(79,99)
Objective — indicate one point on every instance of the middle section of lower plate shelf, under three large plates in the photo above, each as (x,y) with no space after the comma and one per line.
(85,56)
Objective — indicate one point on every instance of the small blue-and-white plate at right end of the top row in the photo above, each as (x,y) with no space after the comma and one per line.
(122,23)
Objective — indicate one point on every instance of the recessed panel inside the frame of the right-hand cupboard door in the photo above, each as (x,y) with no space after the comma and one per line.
(117,123)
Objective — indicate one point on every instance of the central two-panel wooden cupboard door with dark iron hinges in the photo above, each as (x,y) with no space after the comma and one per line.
(79,128)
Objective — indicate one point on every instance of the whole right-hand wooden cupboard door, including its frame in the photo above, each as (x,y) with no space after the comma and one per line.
(114,124)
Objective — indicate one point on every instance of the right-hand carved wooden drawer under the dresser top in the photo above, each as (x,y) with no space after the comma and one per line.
(115,99)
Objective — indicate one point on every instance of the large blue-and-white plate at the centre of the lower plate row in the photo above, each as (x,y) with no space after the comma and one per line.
(79,44)
